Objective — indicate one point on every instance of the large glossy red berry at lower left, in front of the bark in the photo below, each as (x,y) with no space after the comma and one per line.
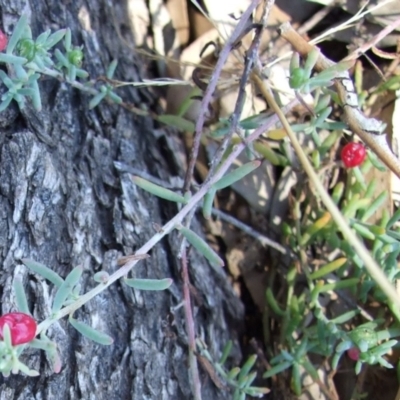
(22,327)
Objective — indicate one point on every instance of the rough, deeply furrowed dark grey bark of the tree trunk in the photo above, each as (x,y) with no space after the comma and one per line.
(63,203)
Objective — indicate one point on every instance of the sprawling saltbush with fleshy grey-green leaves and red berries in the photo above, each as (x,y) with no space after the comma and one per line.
(306,329)
